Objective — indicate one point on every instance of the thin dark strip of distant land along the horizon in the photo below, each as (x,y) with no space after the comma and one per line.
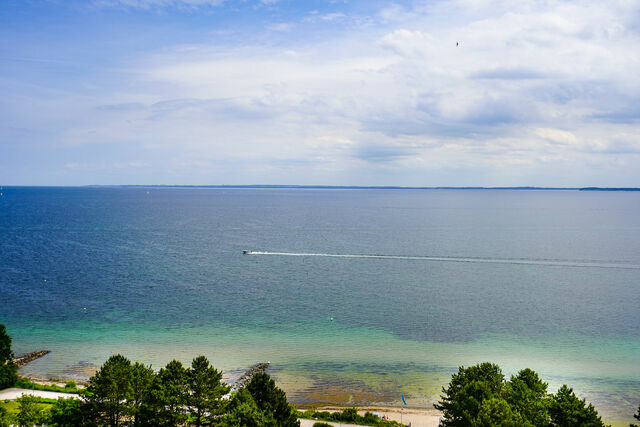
(329,187)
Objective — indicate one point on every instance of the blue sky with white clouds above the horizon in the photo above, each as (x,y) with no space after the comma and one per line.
(336,92)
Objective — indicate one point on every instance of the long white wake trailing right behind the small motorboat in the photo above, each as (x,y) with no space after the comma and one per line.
(557,263)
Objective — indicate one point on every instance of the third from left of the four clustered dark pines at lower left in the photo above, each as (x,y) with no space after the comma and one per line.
(167,396)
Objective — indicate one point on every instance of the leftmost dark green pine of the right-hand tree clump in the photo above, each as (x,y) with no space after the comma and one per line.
(467,390)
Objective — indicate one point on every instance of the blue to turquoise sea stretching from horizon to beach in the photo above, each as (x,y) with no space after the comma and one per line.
(417,282)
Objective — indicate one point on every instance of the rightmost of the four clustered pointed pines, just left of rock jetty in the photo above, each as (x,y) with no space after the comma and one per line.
(206,390)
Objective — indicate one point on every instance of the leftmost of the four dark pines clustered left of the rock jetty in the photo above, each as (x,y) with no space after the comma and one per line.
(108,391)
